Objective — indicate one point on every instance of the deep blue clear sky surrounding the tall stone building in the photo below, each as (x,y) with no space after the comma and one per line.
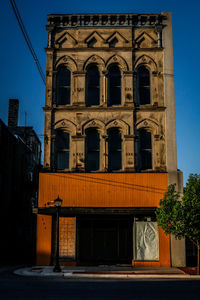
(20,79)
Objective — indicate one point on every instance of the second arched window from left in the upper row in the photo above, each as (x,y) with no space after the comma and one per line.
(92,85)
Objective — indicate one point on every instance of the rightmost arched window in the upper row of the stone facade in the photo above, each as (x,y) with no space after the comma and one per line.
(143,76)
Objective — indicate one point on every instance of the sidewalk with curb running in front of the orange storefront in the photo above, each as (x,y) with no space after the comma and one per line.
(117,272)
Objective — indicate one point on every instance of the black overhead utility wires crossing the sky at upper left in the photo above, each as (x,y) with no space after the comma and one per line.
(27,39)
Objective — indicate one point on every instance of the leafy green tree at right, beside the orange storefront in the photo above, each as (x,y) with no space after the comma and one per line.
(181,216)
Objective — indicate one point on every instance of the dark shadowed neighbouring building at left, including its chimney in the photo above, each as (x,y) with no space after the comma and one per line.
(19,170)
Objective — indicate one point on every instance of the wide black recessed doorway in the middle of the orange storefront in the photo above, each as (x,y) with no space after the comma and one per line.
(104,241)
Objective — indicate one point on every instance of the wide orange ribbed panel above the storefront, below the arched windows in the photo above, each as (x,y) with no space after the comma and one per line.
(103,189)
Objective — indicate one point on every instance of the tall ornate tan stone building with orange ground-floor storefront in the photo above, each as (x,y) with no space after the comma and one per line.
(110,140)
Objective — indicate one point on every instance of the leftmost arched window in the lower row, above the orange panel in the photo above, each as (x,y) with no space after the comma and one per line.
(62,147)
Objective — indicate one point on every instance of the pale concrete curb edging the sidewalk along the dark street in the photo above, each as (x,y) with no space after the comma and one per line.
(48,272)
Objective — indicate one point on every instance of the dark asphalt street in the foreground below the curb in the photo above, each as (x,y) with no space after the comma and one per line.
(19,287)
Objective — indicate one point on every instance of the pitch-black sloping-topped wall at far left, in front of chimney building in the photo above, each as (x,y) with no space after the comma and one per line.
(17,223)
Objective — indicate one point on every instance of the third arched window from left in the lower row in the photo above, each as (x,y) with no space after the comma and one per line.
(114,149)
